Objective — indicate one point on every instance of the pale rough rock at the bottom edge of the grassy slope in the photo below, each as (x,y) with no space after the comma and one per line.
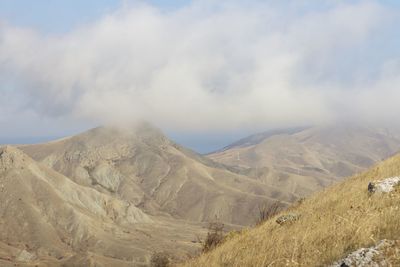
(364,256)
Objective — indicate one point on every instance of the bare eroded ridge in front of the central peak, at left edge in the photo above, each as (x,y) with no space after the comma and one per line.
(47,218)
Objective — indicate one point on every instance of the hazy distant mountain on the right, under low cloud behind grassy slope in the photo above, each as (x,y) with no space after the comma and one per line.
(303,160)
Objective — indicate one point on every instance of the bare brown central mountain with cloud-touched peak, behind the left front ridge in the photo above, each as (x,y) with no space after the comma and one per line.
(141,166)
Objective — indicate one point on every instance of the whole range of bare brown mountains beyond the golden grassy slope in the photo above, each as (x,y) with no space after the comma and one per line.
(113,196)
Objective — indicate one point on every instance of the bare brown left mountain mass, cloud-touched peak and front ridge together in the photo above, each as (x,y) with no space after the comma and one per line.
(113,196)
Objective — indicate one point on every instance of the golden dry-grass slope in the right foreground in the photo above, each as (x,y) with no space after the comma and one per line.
(333,223)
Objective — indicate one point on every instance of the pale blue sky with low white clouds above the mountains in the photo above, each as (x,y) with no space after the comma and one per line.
(206,72)
